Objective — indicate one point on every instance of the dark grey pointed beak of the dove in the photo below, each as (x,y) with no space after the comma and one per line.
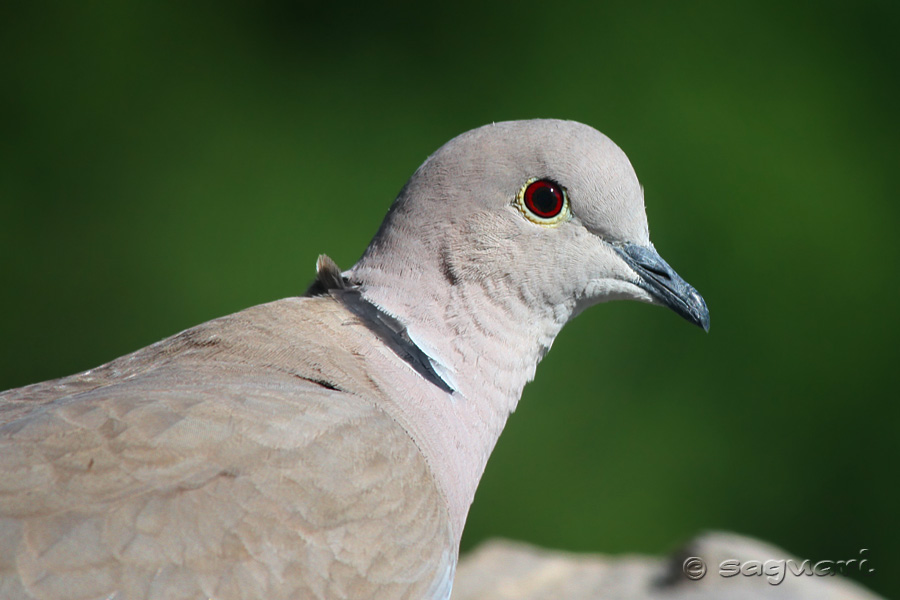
(664,284)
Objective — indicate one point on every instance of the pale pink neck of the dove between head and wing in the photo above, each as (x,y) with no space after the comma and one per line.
(483,339)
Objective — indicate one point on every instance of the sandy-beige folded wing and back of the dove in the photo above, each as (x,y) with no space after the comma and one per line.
(219,464)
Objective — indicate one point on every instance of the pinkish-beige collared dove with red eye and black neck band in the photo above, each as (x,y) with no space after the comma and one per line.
(329,446)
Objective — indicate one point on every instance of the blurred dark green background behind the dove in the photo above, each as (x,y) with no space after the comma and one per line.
(166,163)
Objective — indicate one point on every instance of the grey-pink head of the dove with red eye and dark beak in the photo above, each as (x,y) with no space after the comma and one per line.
(549,210)
